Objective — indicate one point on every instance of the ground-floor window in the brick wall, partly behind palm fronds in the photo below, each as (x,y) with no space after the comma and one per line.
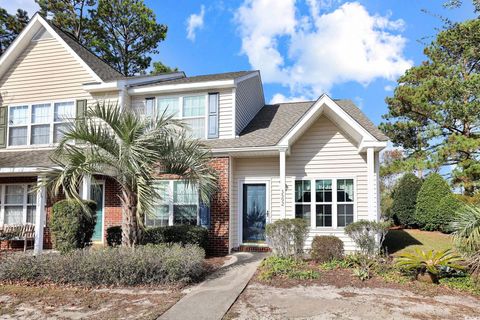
(178,204)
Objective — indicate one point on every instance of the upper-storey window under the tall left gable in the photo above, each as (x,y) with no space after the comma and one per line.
(39,124)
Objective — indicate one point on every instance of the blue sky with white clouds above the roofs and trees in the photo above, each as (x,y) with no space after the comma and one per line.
(303,48)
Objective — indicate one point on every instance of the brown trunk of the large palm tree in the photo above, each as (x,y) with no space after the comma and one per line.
(130,229)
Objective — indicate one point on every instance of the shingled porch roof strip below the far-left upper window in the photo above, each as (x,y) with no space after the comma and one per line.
(28,158)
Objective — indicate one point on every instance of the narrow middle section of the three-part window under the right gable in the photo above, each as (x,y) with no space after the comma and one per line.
(323,200)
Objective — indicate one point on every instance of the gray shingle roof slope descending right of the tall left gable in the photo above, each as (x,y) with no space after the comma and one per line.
(100,67)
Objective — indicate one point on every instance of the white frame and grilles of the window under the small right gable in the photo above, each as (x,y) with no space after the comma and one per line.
(334,203)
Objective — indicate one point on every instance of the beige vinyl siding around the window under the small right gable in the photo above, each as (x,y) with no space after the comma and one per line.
(324,151)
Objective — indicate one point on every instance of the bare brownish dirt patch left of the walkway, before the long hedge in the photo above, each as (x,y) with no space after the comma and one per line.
(74,303)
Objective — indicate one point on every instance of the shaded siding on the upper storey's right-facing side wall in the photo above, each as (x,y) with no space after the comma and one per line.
(249,100)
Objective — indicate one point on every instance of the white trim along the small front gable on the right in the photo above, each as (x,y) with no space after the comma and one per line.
(315,111)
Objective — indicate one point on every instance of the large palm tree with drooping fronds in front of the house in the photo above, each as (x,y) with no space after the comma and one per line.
(132,151)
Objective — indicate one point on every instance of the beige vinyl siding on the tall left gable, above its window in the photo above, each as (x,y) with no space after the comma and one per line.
(45,71)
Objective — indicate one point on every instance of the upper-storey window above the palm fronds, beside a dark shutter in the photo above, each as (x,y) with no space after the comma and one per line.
(191,109)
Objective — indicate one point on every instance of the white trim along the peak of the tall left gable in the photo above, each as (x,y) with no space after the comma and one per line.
(22,41)
